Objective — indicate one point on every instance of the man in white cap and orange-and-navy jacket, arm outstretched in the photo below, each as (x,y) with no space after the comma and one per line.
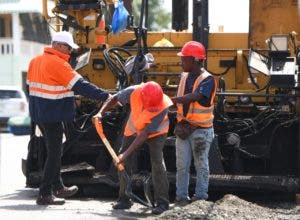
(52,83)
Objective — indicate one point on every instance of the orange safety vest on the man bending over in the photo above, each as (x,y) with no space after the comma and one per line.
(139,117)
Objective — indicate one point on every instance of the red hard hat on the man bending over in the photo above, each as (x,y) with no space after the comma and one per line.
(152,95)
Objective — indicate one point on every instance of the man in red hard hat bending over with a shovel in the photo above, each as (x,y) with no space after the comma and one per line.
(148,122)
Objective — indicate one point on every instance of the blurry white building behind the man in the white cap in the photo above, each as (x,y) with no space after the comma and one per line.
(23,34)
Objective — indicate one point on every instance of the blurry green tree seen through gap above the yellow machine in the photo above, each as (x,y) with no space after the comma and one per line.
(158,18)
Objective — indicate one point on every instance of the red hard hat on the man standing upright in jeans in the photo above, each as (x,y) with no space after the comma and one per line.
(193,49)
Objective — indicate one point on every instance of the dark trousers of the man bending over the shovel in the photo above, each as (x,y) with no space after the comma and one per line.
(158,169)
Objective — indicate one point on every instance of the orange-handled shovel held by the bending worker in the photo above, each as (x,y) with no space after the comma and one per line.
(120,167)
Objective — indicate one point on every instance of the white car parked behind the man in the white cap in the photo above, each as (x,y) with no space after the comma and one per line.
(13,102)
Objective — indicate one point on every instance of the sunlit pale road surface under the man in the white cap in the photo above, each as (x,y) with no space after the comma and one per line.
(18,202)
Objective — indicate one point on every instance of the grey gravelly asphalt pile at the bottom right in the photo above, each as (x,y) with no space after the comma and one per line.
(233,207)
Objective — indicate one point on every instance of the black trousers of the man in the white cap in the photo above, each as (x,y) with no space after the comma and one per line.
(51,179)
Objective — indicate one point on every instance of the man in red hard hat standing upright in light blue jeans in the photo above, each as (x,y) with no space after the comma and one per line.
(194,130)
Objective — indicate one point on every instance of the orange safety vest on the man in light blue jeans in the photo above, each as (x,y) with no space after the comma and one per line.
(197,115)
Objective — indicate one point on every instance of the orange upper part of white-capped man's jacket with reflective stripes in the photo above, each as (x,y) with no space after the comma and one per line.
(50,76)
